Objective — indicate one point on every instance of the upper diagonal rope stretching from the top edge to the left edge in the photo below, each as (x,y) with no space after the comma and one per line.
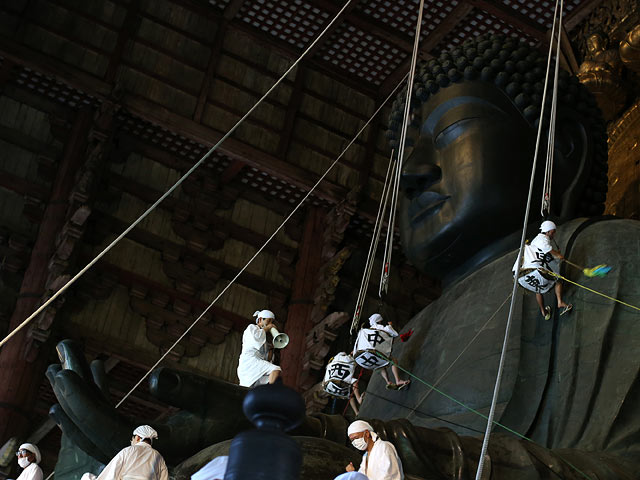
(168,192)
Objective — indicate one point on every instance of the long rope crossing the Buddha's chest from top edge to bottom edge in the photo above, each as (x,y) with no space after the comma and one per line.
(496,389)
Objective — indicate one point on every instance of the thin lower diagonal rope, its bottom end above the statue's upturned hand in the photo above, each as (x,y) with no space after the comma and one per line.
(262,247)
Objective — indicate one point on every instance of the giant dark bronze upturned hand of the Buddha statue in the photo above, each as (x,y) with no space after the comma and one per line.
(211,410)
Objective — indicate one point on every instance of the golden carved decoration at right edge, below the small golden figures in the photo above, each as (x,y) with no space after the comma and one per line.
(623,197)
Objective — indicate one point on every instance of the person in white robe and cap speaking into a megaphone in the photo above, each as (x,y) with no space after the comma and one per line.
(254,368)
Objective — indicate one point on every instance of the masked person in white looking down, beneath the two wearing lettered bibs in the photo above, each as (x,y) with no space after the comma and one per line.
(380,461)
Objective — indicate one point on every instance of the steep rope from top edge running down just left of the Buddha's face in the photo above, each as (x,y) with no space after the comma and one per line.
(386,263)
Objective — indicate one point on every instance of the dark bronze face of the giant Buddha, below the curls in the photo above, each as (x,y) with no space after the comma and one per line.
(465,182)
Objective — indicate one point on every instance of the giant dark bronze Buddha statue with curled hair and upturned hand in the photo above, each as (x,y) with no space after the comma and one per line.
(570,384)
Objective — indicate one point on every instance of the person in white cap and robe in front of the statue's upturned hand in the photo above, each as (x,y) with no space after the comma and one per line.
(140,461)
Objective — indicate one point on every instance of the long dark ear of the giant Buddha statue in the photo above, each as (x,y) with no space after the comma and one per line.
(572,163)
